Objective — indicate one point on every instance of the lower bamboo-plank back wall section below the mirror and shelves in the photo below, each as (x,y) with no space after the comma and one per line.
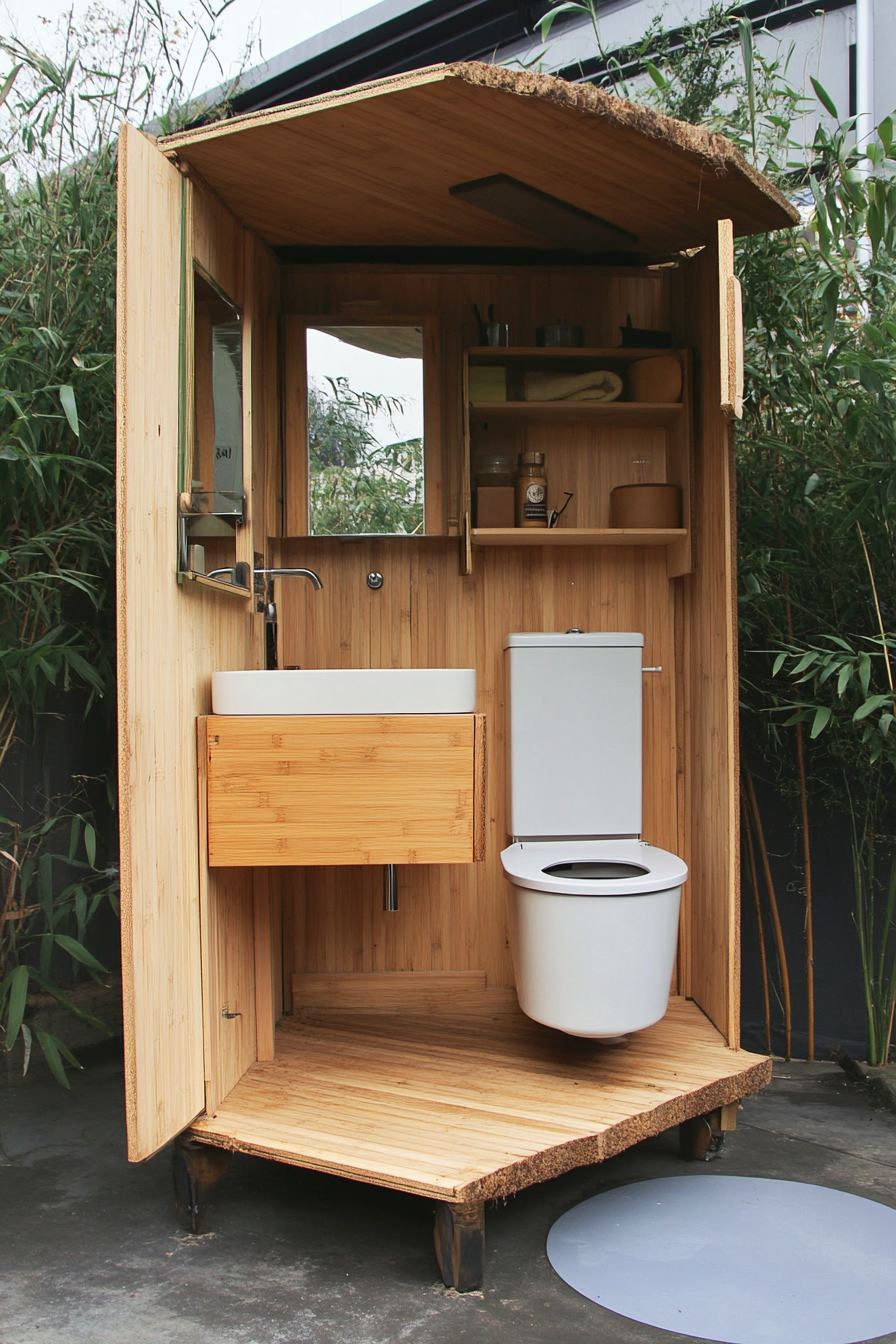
(453,917)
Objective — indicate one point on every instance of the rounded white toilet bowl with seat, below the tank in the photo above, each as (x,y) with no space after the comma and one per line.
(596,933)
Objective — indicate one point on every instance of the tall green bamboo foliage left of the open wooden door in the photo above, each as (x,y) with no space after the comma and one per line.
(58,126)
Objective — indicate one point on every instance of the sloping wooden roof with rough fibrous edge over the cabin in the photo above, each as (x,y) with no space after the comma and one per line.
(373,166)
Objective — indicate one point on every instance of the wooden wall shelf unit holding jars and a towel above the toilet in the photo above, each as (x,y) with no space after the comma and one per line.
(589,447)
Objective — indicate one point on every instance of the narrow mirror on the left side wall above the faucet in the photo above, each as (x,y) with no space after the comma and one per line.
(217,482)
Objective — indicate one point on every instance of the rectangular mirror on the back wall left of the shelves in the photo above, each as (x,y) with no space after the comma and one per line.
(366,431)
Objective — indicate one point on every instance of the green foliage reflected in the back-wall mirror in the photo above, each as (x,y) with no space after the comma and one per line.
(358,485)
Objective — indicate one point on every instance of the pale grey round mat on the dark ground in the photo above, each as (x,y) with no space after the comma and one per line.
(735,1259)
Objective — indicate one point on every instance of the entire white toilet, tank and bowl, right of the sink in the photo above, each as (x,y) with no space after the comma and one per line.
(597,909)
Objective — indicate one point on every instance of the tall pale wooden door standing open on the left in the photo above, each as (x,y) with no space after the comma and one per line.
(171,638)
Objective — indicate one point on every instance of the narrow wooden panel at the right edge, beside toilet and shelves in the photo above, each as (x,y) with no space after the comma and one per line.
(707,312)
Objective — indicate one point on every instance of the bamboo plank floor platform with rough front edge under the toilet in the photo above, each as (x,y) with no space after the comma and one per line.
(476,1105)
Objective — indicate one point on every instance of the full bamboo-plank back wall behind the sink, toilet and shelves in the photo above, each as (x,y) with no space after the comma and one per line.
(428,615)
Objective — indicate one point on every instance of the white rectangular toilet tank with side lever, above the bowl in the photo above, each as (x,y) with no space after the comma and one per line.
(574,734)
